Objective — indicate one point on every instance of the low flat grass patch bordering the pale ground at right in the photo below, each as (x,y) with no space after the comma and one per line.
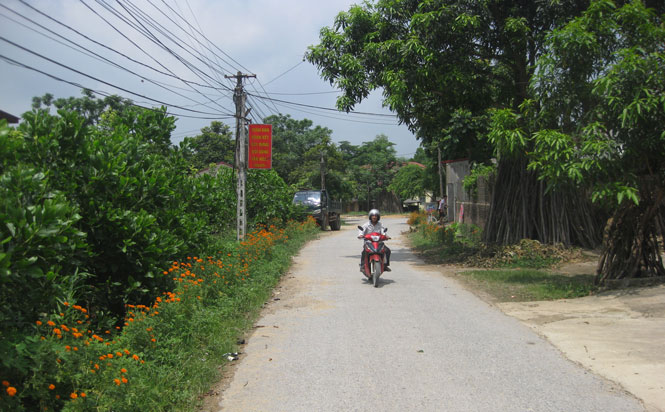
(528,284)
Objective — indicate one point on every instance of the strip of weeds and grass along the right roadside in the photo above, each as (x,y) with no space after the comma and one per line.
(522,272)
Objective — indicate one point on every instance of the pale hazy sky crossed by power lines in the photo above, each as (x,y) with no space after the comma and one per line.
(264,37)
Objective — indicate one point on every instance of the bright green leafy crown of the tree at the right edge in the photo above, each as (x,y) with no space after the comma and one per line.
(602,108)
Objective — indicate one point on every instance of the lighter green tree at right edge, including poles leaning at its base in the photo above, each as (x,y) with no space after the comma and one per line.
(599,123)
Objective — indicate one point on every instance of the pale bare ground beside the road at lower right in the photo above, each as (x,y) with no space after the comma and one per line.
(619,334)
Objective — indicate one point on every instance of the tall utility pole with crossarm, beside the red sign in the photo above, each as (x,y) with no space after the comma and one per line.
(241,153)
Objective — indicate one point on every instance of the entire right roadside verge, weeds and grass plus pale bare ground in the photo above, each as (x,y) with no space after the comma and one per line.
(616,334)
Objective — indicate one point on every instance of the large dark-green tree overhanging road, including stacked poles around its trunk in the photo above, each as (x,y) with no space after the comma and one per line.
(443,64)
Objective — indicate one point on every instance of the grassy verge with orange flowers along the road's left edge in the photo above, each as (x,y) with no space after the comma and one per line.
(166,354)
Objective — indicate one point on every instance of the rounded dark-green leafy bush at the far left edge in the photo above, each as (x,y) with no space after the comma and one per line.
(41,246)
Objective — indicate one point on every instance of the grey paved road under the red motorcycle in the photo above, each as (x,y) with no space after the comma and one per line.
(332,342)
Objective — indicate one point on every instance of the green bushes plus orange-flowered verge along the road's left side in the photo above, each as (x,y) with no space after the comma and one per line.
(121,281)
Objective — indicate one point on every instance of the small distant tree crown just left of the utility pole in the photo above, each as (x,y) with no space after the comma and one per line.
(214,144)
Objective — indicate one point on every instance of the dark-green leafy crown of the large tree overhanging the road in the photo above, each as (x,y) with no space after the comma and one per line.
(441,65)
